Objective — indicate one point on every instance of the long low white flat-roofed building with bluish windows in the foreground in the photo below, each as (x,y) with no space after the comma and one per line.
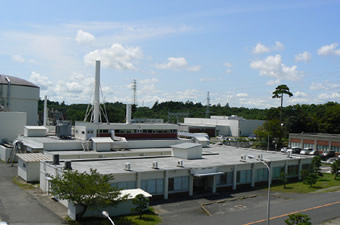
(215,169)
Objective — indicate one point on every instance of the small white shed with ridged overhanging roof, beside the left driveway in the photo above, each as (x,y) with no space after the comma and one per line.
(29,166)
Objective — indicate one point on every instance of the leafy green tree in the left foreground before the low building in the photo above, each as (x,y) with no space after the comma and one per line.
(89,190)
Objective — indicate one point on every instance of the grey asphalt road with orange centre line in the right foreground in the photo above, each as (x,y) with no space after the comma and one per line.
(320,207)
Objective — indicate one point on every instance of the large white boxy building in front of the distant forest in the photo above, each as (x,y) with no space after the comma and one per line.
(221,125)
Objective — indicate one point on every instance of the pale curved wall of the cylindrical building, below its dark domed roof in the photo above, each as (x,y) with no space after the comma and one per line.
(24,99)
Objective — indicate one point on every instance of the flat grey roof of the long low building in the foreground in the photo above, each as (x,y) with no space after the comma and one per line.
(223,156)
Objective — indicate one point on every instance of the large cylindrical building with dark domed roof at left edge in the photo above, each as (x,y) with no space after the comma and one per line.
(18,95)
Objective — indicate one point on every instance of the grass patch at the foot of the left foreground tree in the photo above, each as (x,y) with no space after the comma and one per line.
(149,218)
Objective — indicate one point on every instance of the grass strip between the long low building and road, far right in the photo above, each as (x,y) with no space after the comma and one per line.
(324,182)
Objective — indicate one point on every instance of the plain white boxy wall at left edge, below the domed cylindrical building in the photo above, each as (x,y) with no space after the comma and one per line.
(12,125)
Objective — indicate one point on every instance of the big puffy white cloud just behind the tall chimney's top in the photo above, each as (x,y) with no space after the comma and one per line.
(117,57)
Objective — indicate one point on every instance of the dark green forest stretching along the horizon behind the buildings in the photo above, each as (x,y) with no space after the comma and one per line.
(298,118)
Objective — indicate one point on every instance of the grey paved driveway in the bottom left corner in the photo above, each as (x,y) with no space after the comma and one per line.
(17,206)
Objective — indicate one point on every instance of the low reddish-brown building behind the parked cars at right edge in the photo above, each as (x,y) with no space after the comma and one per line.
(318,141)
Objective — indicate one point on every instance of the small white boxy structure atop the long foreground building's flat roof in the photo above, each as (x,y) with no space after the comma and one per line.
(187,151)
